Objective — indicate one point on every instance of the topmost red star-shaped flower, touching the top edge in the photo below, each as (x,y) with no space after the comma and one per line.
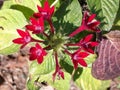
(46,12)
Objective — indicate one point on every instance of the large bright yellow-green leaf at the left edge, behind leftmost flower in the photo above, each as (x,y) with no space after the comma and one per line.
(10,20)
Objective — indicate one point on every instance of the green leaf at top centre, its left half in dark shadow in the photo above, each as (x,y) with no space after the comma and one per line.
(68,16)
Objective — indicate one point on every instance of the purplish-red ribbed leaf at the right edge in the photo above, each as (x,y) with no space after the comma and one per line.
(107,65)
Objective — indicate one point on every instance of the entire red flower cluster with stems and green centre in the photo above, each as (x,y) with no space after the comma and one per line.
(36,26)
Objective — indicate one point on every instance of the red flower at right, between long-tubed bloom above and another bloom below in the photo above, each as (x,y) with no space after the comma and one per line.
(86,43)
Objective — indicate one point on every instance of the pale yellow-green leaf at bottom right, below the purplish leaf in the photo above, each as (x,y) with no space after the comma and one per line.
(87,82)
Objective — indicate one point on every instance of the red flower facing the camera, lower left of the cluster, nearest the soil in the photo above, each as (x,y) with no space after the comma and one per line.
(38,53)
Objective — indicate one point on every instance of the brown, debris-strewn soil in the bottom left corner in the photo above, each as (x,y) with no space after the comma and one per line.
(13,71)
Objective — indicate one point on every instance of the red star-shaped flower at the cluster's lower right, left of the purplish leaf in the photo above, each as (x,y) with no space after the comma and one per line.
(78,58)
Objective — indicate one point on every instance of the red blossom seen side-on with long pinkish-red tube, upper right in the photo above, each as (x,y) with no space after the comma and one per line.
(88,23)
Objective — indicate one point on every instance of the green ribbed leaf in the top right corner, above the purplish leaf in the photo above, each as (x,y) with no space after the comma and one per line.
(106,11)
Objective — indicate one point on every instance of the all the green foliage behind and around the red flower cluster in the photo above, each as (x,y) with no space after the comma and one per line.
(15,14)
